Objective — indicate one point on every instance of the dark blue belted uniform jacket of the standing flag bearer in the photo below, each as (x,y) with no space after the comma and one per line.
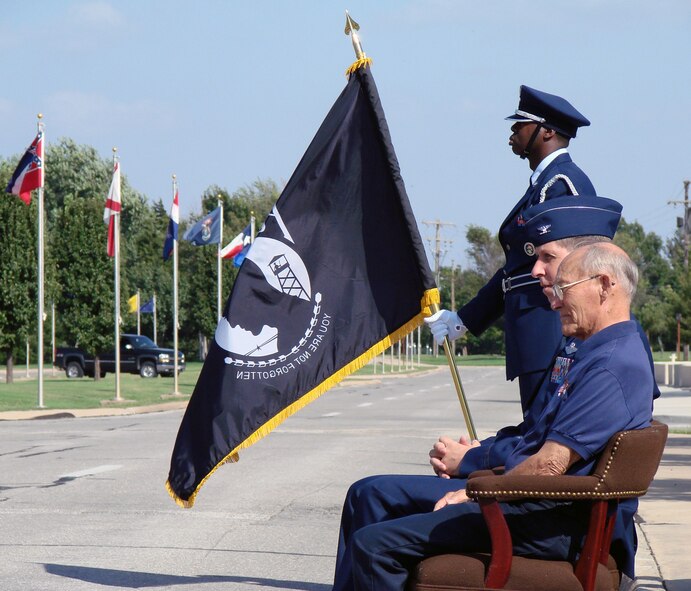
(532,331)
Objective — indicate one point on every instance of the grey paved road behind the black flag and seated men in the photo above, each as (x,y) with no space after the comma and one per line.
(83,504)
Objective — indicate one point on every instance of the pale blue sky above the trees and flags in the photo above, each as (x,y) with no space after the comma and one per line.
(225,92)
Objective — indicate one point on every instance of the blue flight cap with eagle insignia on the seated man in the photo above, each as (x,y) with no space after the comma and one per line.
(568,217)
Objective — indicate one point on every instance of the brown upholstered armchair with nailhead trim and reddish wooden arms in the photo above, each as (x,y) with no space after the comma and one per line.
(625,470)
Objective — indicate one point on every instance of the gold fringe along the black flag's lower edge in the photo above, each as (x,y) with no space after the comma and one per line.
(431,296)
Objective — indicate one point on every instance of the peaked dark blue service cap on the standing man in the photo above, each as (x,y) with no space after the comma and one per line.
(553,111)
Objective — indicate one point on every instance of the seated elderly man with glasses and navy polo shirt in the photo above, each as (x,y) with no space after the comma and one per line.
(606,388)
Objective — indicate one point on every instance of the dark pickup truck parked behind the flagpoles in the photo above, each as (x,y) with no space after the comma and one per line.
(138,354)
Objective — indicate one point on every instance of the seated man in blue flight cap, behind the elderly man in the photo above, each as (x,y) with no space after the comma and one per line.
(380,498)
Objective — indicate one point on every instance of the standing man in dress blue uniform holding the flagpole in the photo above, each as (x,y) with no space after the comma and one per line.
(542,127)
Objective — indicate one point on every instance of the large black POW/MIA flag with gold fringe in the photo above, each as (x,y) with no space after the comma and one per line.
(336,274)
